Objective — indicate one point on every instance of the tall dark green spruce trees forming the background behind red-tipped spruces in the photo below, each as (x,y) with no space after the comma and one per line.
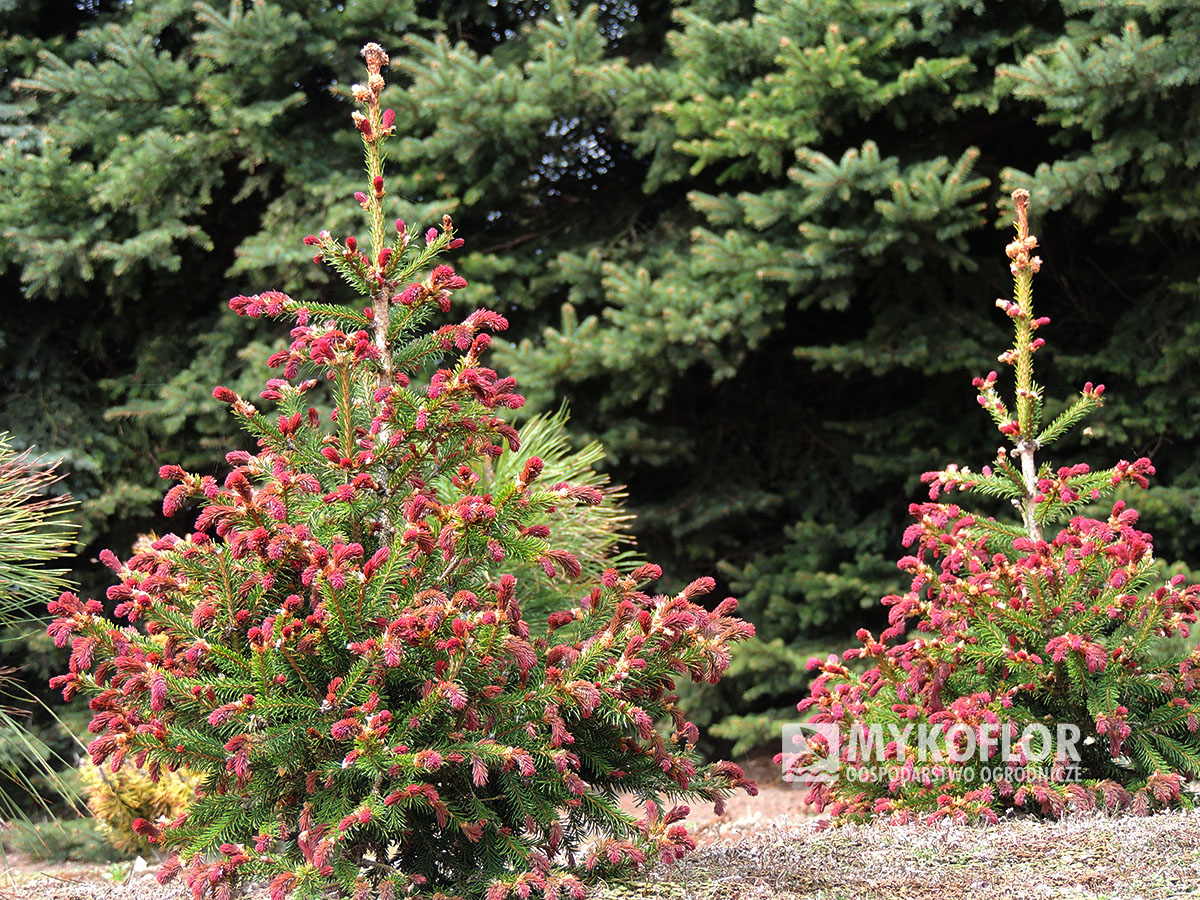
(743,237)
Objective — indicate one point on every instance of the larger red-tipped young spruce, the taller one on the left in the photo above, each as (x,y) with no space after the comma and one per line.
(339,650)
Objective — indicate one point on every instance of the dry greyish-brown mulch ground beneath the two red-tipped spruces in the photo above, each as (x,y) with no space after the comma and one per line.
(767,848)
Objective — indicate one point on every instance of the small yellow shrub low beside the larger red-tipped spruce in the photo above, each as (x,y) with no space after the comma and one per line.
(116,800)
